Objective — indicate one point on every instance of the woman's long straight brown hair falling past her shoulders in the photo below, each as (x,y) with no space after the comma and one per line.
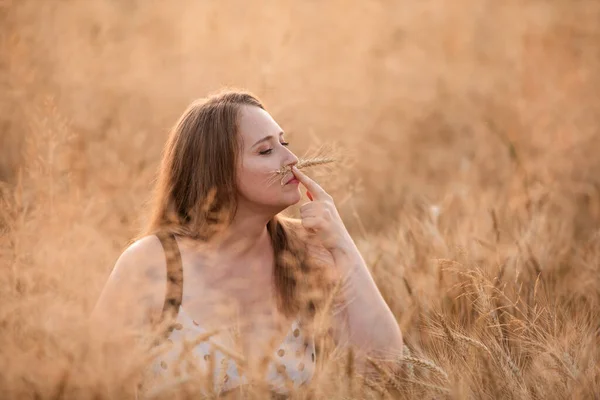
(195,193)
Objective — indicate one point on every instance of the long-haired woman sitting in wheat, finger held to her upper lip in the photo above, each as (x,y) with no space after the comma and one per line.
(229,258)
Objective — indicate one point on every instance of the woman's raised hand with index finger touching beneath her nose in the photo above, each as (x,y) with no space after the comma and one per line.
(320,217)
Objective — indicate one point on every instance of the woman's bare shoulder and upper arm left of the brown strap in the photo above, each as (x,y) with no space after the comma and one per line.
(136,285)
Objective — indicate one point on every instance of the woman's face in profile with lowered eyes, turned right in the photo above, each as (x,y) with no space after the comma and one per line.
(263,151)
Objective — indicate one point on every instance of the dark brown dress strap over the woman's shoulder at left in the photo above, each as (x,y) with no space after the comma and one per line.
(174,288)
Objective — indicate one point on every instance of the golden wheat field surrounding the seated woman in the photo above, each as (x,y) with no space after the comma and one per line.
(471,182)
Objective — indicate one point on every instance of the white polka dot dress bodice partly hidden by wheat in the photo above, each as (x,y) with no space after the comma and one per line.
(293,361)
